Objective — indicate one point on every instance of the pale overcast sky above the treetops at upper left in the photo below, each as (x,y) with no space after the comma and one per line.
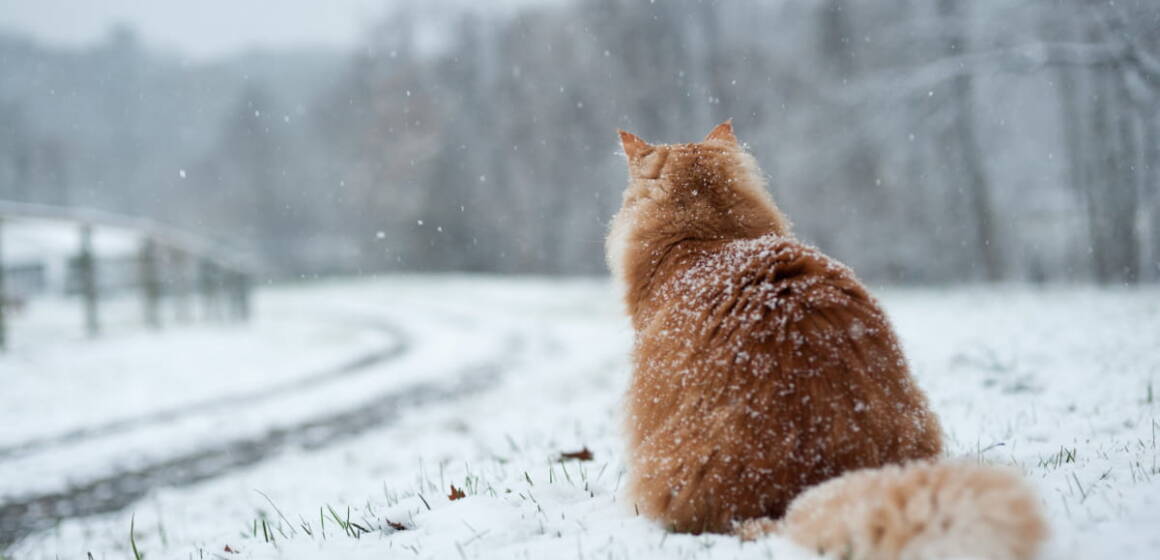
(207,28)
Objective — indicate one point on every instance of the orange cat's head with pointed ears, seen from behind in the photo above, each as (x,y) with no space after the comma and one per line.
(705,191)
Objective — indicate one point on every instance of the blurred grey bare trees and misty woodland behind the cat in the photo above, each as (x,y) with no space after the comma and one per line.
(920,142)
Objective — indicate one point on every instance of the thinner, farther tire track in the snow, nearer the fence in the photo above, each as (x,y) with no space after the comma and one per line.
(396,348)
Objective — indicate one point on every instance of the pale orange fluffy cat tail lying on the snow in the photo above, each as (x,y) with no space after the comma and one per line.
(917,512)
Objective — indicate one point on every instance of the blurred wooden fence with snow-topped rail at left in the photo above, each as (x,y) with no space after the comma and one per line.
(170,263)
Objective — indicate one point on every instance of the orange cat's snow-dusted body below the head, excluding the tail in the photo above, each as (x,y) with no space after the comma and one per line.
(767,369)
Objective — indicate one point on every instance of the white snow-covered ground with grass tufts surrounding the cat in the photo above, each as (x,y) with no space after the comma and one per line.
(358,406)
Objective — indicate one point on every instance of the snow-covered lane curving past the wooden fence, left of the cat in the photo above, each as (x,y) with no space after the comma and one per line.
(209,419)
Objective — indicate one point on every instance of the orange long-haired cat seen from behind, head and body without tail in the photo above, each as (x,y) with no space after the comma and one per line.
(762,366)
